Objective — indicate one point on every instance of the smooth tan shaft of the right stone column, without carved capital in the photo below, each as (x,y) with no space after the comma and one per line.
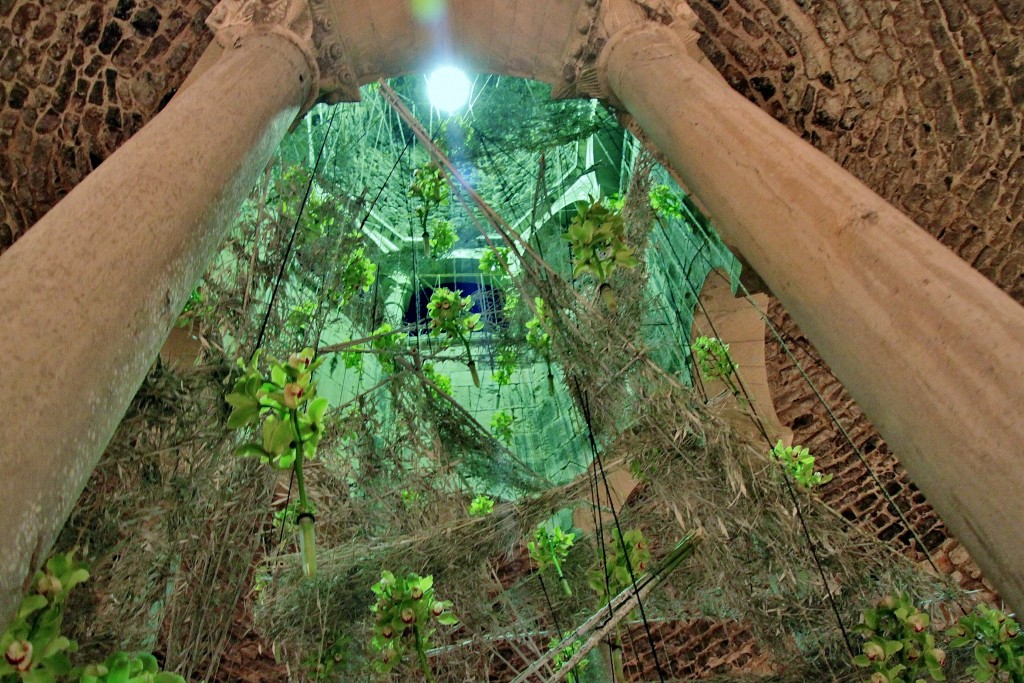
(931,351)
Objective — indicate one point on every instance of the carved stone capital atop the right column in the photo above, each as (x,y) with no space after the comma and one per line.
(602,24)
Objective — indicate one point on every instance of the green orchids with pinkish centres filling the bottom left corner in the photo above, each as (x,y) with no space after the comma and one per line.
(36,651)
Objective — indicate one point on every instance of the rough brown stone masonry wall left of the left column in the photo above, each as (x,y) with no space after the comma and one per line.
(77,79)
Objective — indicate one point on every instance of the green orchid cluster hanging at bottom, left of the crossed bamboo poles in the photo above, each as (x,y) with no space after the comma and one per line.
(406,612)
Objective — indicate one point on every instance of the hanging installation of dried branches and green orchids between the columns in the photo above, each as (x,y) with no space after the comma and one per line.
(411,473)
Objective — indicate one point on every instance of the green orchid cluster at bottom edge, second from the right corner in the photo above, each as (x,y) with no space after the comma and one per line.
(899,648)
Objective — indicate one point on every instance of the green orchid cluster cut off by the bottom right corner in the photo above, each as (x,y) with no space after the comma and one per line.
(998,645)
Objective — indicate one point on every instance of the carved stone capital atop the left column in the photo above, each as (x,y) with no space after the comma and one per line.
(308,24)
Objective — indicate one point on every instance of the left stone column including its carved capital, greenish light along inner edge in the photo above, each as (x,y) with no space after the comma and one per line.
(90,294)
